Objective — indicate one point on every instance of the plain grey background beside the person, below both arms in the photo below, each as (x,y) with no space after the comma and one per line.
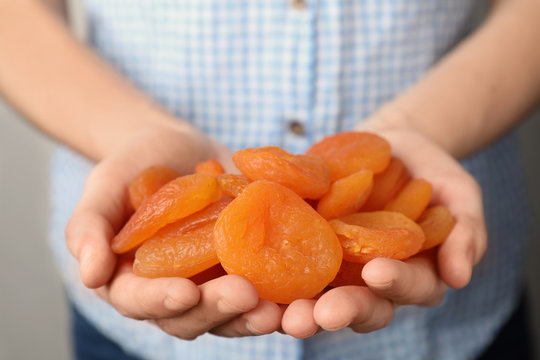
(33,322)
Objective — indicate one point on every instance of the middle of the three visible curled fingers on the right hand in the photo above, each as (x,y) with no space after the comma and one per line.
(354,306)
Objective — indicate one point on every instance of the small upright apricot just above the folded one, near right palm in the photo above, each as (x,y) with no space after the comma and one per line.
(412,200)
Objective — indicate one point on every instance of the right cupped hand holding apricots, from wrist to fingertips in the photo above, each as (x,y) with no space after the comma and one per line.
(421,280)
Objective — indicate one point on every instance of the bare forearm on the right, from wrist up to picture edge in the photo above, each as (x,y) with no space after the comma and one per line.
(480,89)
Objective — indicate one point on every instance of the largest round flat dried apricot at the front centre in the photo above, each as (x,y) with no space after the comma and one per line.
(272,237)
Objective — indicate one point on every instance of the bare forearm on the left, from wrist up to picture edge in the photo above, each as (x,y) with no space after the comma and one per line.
(65,89)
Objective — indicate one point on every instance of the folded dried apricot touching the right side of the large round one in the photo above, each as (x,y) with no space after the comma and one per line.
(368,235)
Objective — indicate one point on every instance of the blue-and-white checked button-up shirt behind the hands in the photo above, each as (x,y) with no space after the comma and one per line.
(242,71)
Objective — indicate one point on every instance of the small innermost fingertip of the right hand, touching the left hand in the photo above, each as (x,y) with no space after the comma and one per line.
(298,319)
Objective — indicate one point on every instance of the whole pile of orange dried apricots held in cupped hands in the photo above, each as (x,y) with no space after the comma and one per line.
(292,224)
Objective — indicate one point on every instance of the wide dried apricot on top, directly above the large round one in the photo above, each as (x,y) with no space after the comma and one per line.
(306,175)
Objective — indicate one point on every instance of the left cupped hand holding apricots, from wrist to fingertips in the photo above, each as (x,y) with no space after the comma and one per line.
(227,306)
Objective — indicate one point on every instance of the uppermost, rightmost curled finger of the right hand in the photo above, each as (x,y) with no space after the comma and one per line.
(415,281)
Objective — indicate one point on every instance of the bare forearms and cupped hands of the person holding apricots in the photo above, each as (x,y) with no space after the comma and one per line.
(474,87)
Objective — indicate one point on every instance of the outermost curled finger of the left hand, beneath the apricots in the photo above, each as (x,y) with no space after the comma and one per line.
(142,298)
